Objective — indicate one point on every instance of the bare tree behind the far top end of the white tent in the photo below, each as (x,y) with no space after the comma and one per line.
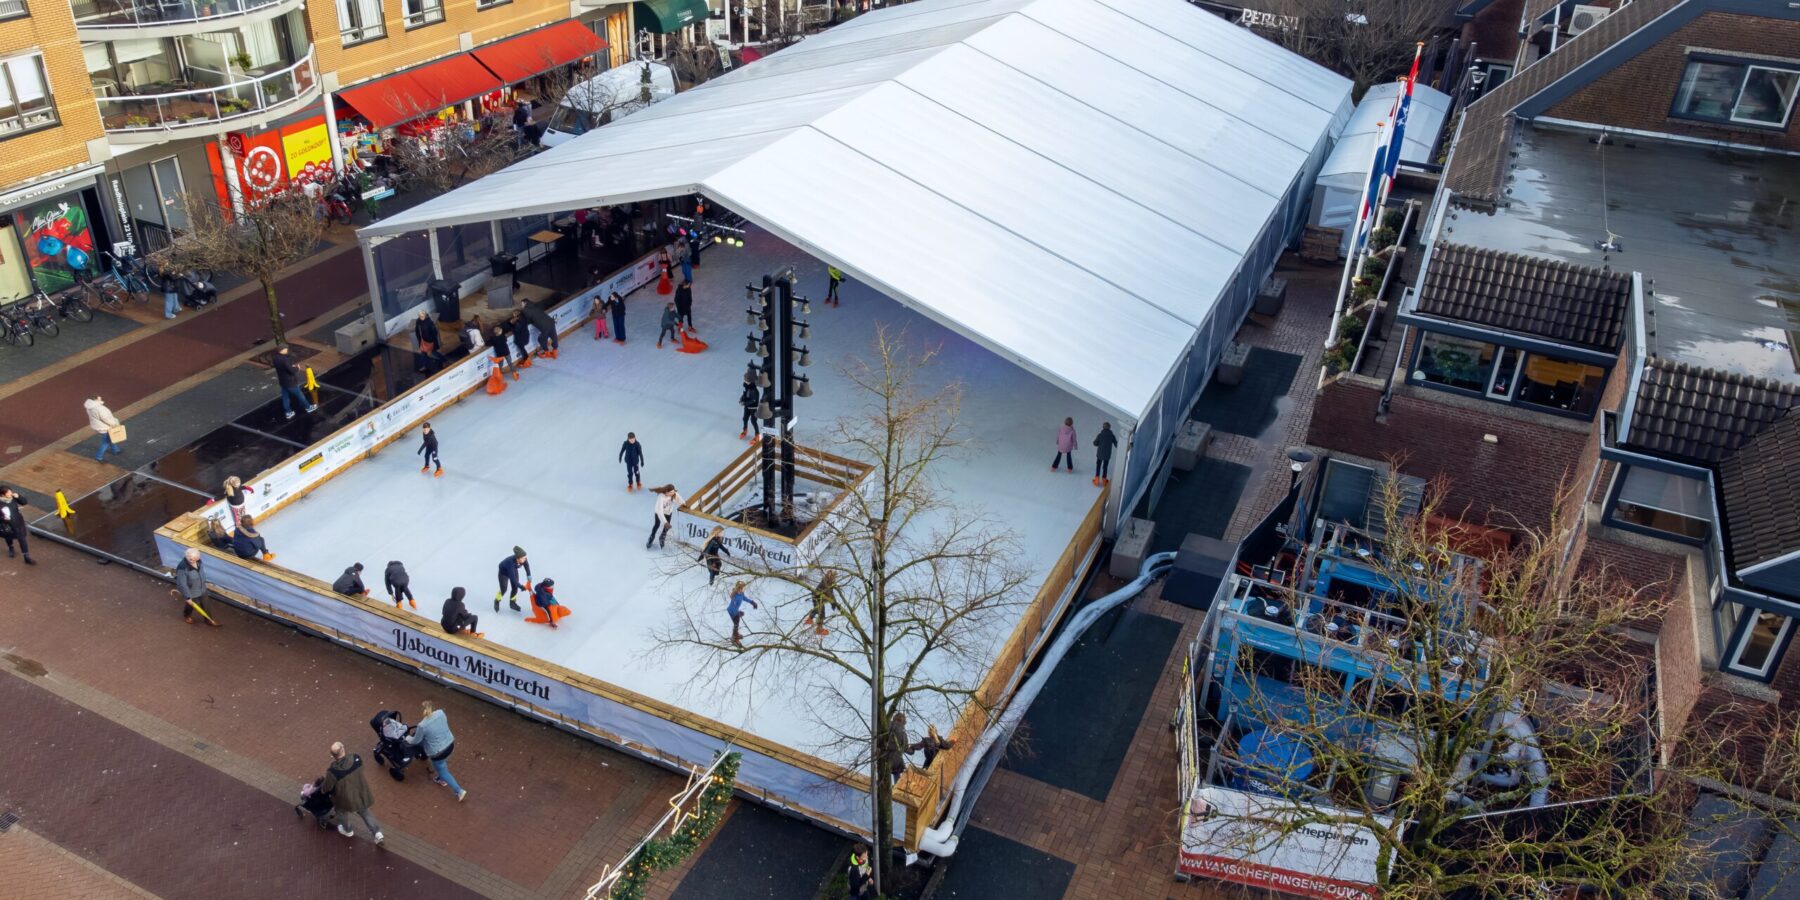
(1365,40)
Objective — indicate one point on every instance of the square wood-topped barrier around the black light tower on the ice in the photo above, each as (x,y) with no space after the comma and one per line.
(706,508)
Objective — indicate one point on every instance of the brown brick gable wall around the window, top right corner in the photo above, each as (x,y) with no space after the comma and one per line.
(1642,91)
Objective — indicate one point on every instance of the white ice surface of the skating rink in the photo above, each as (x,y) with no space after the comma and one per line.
(537,467)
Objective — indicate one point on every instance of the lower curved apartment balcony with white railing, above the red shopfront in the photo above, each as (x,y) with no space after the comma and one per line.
(193,109)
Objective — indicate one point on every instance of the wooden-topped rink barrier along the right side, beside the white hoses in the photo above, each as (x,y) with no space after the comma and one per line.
(926,791)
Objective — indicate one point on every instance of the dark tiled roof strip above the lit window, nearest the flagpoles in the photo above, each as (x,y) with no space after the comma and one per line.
(1527,296)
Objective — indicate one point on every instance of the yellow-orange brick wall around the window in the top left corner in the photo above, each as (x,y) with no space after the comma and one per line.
(51,30)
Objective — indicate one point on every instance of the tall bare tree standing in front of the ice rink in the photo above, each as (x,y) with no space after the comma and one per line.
(897,615)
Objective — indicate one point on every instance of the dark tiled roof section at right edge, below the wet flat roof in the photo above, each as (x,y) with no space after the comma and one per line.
(1704,415)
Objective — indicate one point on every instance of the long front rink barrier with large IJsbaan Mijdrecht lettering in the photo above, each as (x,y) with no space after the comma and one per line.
(669,735)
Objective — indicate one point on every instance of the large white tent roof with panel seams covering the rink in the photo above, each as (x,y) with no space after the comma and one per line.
(1068,183)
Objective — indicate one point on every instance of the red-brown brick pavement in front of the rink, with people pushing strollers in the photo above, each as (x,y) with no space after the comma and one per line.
(228,723)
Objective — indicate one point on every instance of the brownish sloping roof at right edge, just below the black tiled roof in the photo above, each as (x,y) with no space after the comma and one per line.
(1761,487)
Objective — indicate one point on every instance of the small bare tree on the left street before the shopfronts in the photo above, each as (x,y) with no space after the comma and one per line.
(276,229)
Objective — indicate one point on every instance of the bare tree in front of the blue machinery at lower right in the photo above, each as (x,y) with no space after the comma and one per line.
(1498,741)
